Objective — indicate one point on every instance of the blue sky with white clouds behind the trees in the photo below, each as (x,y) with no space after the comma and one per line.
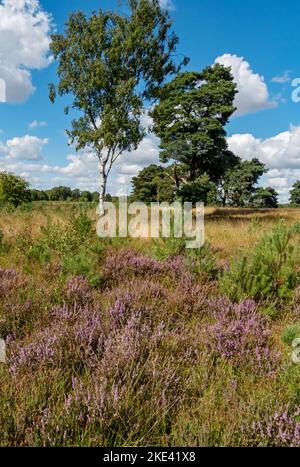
(258,39)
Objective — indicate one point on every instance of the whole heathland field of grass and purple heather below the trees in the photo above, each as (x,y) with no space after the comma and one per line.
(138,342)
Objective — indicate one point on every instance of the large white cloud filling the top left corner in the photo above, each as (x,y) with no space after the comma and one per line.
(24,45)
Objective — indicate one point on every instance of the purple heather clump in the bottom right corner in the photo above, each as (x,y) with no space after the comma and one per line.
(280,430)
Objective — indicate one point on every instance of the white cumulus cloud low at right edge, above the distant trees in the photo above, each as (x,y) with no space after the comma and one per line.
(280,153)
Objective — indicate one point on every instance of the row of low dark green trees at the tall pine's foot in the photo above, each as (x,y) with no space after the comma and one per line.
(237,187)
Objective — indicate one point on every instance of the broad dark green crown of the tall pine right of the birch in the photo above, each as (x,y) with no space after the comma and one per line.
(190,118)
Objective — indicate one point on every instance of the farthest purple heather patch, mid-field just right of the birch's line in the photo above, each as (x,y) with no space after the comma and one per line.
(123,264)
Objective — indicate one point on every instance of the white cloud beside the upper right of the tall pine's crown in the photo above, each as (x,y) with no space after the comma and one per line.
(253,92)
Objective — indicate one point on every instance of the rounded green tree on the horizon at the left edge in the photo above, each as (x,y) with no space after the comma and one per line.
(13,189)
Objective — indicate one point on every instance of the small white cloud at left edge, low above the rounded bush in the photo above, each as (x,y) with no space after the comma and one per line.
(26,148)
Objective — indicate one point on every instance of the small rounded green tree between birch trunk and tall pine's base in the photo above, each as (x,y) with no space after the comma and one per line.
(153,184)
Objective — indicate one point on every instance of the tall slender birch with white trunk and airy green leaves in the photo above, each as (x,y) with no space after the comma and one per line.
(110,64)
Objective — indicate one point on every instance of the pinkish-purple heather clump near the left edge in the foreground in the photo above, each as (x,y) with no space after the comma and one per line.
(74,338)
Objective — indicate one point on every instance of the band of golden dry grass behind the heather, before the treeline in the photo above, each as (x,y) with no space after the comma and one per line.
(227,229)
